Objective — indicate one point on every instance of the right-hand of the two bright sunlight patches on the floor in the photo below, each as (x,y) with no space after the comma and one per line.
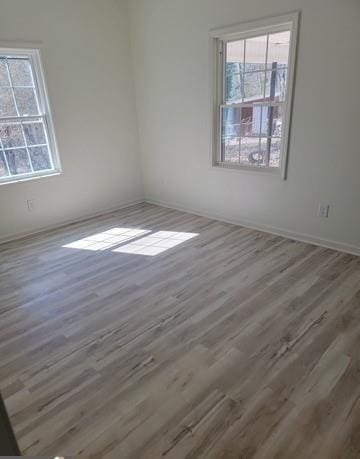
(155,243)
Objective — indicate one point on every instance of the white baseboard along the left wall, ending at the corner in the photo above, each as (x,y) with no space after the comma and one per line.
(124,205)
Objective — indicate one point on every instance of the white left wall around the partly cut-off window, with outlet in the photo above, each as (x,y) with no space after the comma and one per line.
(85,49)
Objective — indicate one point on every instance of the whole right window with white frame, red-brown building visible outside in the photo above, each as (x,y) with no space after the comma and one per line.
(254,71)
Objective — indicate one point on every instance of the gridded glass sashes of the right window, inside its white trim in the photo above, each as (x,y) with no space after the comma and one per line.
(265,72)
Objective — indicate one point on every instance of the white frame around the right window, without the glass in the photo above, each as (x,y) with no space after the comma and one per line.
(218,40)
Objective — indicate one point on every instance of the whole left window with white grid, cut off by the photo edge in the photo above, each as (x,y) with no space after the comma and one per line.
(27,142)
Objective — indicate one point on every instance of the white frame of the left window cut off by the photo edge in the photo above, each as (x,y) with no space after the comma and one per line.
(34,56)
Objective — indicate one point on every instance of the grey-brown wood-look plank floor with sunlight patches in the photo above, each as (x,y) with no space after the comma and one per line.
(220,344)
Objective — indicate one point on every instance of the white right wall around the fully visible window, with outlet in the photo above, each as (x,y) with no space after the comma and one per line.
(170,40)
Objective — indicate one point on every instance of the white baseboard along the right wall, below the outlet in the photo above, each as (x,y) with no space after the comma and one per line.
(308,238)
